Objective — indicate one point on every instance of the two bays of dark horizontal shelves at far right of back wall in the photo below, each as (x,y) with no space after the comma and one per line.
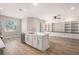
(72,27)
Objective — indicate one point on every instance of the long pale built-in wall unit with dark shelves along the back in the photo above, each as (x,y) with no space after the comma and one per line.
(64,27)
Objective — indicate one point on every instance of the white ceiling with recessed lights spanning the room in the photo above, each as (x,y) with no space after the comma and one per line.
(44,11)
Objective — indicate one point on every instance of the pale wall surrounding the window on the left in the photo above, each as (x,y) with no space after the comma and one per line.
(16,33)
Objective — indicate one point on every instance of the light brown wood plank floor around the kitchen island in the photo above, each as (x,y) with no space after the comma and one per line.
(58,46)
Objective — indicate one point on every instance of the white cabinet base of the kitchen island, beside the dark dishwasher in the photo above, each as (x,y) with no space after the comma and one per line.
(38,41)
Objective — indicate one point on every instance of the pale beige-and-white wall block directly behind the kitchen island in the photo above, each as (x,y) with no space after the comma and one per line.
(31,25)
